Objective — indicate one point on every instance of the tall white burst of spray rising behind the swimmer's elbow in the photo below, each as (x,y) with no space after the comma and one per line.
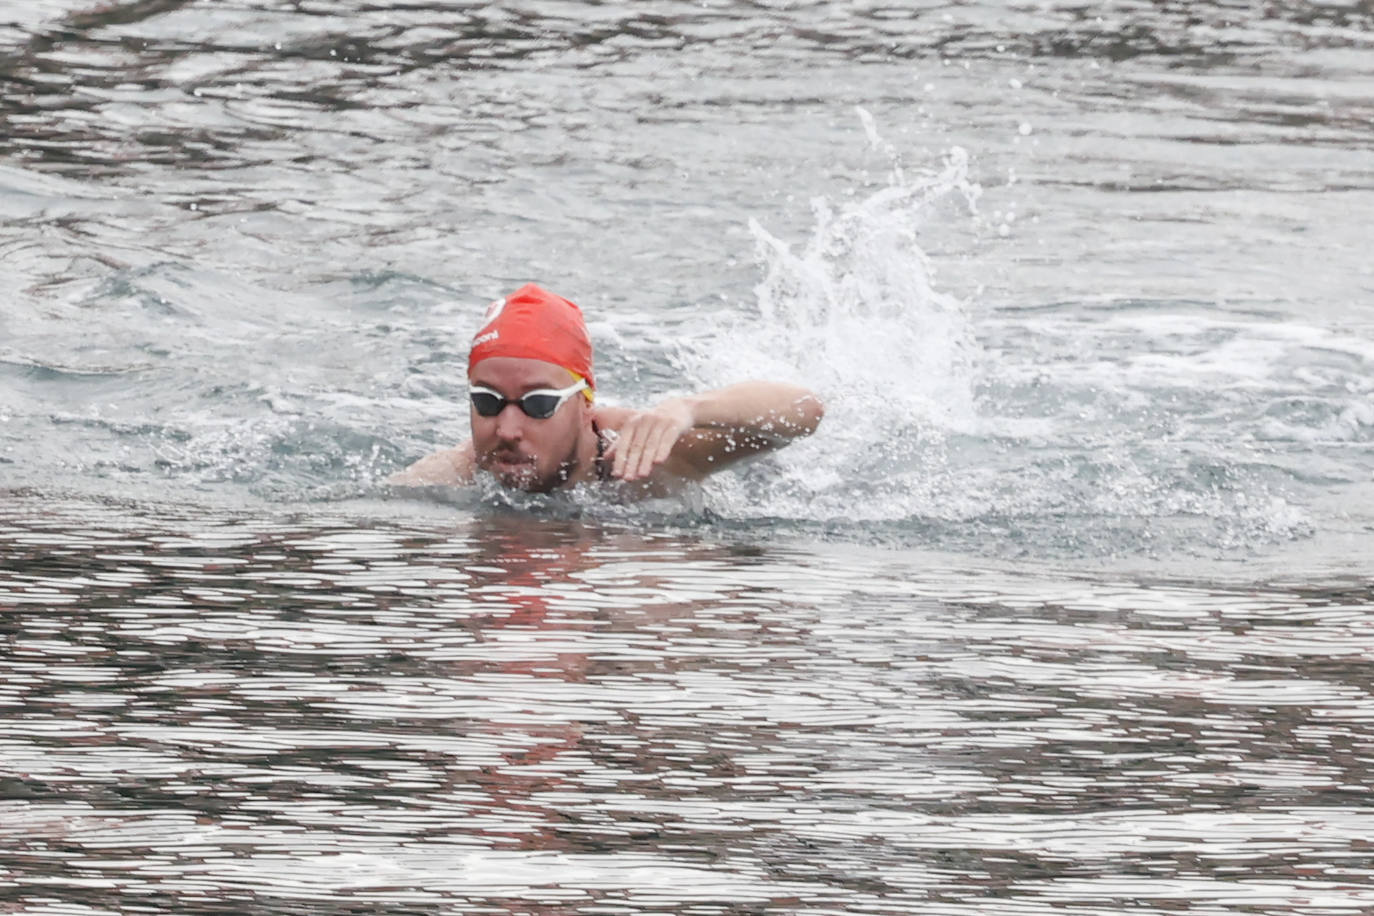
(857,315)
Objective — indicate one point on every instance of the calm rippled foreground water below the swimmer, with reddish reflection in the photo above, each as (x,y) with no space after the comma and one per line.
(223,713)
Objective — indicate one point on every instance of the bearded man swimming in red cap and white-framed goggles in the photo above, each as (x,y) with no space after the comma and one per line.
(537,425)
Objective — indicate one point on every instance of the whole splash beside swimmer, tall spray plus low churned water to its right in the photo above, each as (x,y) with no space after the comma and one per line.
(925,442)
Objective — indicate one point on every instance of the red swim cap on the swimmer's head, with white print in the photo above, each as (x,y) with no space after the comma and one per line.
(535,325)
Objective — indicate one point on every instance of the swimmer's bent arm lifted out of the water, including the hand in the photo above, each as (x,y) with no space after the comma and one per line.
(696,436)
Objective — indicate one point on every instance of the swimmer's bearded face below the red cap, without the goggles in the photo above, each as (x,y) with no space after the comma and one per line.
(524,453)
